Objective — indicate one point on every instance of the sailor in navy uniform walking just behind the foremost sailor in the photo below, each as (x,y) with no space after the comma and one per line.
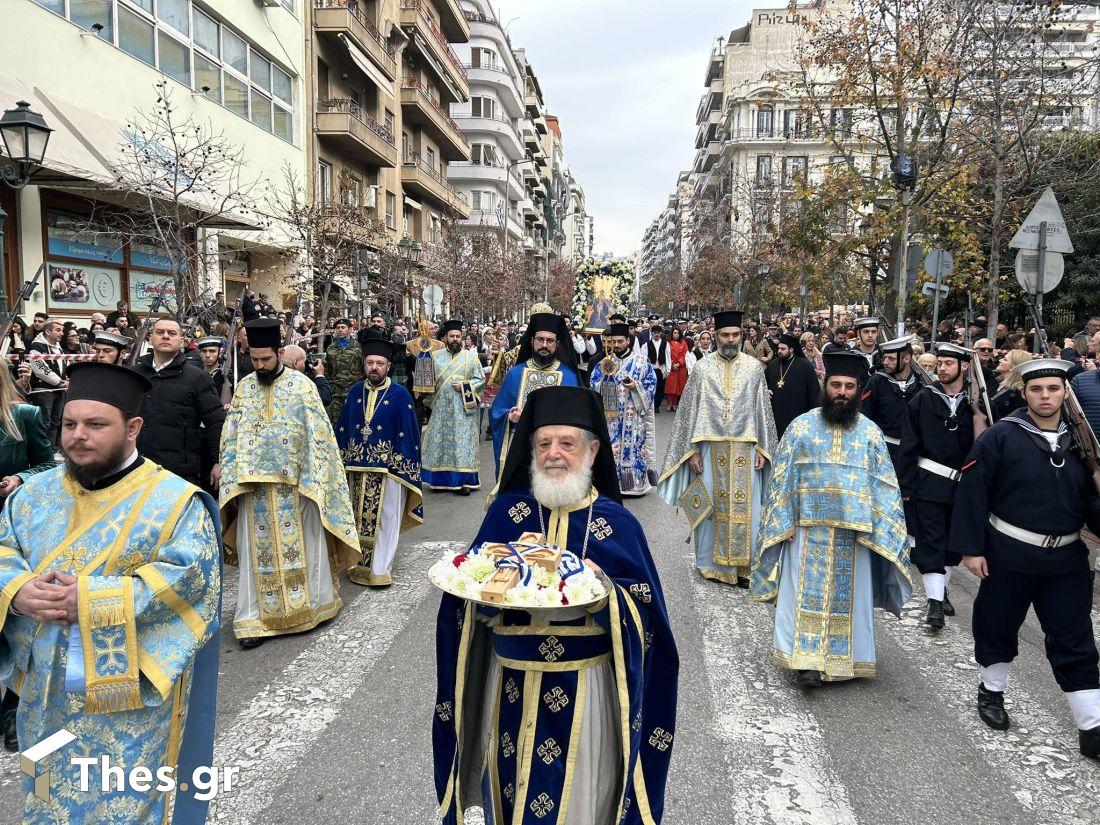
(938,433)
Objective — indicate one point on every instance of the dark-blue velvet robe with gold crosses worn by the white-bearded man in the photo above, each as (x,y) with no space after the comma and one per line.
(530,768)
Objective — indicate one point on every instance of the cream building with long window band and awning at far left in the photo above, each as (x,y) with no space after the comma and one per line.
(92,68)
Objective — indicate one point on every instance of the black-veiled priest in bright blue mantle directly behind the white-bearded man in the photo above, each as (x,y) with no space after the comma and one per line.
(546,359)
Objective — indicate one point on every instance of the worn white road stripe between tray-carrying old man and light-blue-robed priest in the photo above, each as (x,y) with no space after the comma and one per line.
(776,749)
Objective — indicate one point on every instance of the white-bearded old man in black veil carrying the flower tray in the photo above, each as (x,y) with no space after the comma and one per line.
(571,712)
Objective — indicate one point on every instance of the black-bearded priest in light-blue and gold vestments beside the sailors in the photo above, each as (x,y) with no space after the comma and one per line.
(833,543)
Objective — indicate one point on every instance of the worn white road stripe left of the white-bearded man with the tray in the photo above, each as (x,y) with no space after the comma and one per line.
(288,717)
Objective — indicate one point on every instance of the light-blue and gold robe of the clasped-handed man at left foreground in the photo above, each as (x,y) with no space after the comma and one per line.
(136,678)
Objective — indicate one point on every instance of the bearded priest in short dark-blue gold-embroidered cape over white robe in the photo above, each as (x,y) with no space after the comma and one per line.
(380,443)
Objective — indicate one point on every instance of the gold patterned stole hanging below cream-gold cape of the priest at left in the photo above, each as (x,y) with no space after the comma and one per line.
(280,555)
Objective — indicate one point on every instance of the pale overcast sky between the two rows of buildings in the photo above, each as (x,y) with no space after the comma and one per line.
(625,78)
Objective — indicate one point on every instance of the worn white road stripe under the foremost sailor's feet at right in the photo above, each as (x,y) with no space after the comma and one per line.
(1038,755)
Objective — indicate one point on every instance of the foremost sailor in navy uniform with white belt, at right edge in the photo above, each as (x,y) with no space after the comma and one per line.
(1021,504)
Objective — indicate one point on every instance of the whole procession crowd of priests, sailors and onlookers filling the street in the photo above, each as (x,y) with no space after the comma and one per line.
(816,466)
